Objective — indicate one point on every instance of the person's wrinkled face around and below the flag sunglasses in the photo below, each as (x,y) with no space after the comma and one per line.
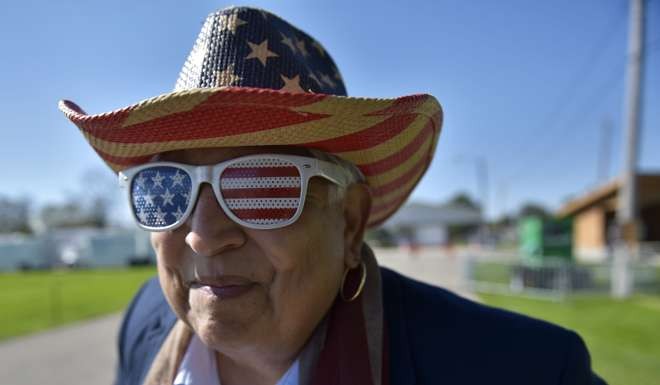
(240,288)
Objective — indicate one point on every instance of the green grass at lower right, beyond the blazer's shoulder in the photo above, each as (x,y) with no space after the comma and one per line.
(623,336)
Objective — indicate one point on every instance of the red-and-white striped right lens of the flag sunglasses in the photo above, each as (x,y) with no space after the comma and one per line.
(263,191)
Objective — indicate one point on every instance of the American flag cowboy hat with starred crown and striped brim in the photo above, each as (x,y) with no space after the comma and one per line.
(253,79)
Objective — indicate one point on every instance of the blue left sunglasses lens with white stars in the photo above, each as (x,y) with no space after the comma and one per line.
(160,195)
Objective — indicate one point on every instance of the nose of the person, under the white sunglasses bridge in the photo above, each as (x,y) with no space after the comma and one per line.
(211,232)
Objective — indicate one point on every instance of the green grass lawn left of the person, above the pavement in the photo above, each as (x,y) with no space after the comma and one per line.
(39,300)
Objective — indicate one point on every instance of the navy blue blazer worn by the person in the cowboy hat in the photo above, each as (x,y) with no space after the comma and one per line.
(435,337)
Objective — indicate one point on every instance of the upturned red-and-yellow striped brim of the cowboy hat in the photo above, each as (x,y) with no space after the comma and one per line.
(392,141)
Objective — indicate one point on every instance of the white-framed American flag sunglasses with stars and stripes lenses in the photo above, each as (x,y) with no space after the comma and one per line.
(264,191)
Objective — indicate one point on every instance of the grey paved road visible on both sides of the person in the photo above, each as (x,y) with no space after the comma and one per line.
(84,353)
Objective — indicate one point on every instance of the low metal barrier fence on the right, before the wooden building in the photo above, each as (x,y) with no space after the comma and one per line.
(553,278)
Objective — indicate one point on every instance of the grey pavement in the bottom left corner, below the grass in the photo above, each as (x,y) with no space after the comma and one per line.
(81,353)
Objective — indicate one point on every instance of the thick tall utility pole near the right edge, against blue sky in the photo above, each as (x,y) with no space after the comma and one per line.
(627,213)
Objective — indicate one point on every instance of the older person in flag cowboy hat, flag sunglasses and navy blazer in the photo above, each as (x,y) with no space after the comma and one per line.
(257,177)
